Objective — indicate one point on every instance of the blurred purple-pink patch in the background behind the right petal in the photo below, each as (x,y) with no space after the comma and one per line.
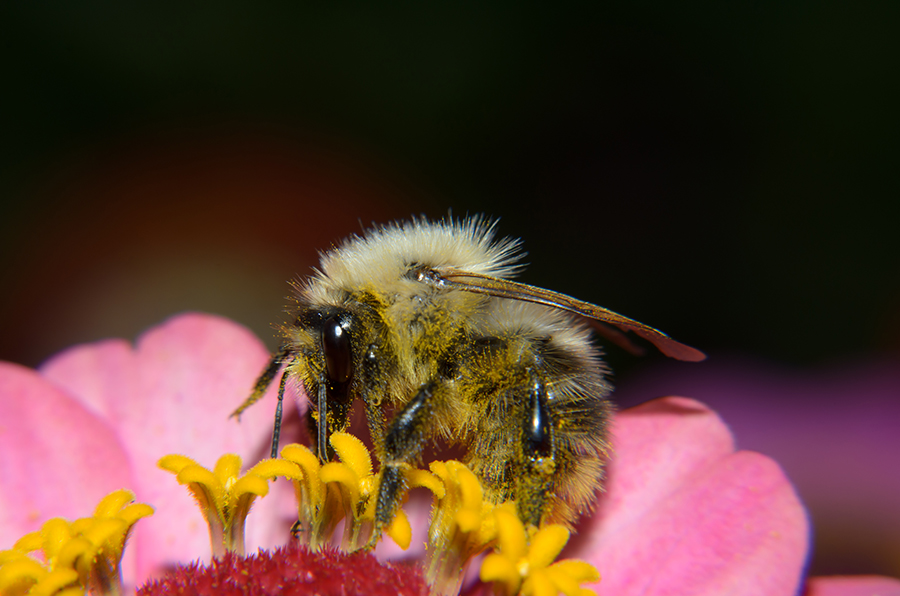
(833,429)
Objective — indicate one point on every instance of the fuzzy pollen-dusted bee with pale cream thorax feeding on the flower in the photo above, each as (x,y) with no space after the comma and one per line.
(422,322)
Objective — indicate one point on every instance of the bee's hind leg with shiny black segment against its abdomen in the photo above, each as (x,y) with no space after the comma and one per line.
(535,450)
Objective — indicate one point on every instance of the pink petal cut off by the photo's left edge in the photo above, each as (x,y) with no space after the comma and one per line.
(56,457)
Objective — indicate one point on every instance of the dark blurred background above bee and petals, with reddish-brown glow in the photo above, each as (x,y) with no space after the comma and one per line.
(722,171)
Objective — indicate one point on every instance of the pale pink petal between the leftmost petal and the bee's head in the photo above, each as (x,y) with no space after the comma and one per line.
(173,393)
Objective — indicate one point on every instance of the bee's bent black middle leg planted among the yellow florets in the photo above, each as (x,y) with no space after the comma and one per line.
(403,443)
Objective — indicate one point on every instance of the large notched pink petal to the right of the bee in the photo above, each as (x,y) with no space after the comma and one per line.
(684,514)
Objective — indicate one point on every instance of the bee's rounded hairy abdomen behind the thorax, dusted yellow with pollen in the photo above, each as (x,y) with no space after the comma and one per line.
(535,410)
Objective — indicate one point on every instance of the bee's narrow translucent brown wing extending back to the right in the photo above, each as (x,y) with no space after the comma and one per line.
(601,318)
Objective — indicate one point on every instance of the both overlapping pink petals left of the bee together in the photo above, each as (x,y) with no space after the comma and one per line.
(97,417)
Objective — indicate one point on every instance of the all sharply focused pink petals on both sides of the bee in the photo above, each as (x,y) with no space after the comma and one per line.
(683,511)
